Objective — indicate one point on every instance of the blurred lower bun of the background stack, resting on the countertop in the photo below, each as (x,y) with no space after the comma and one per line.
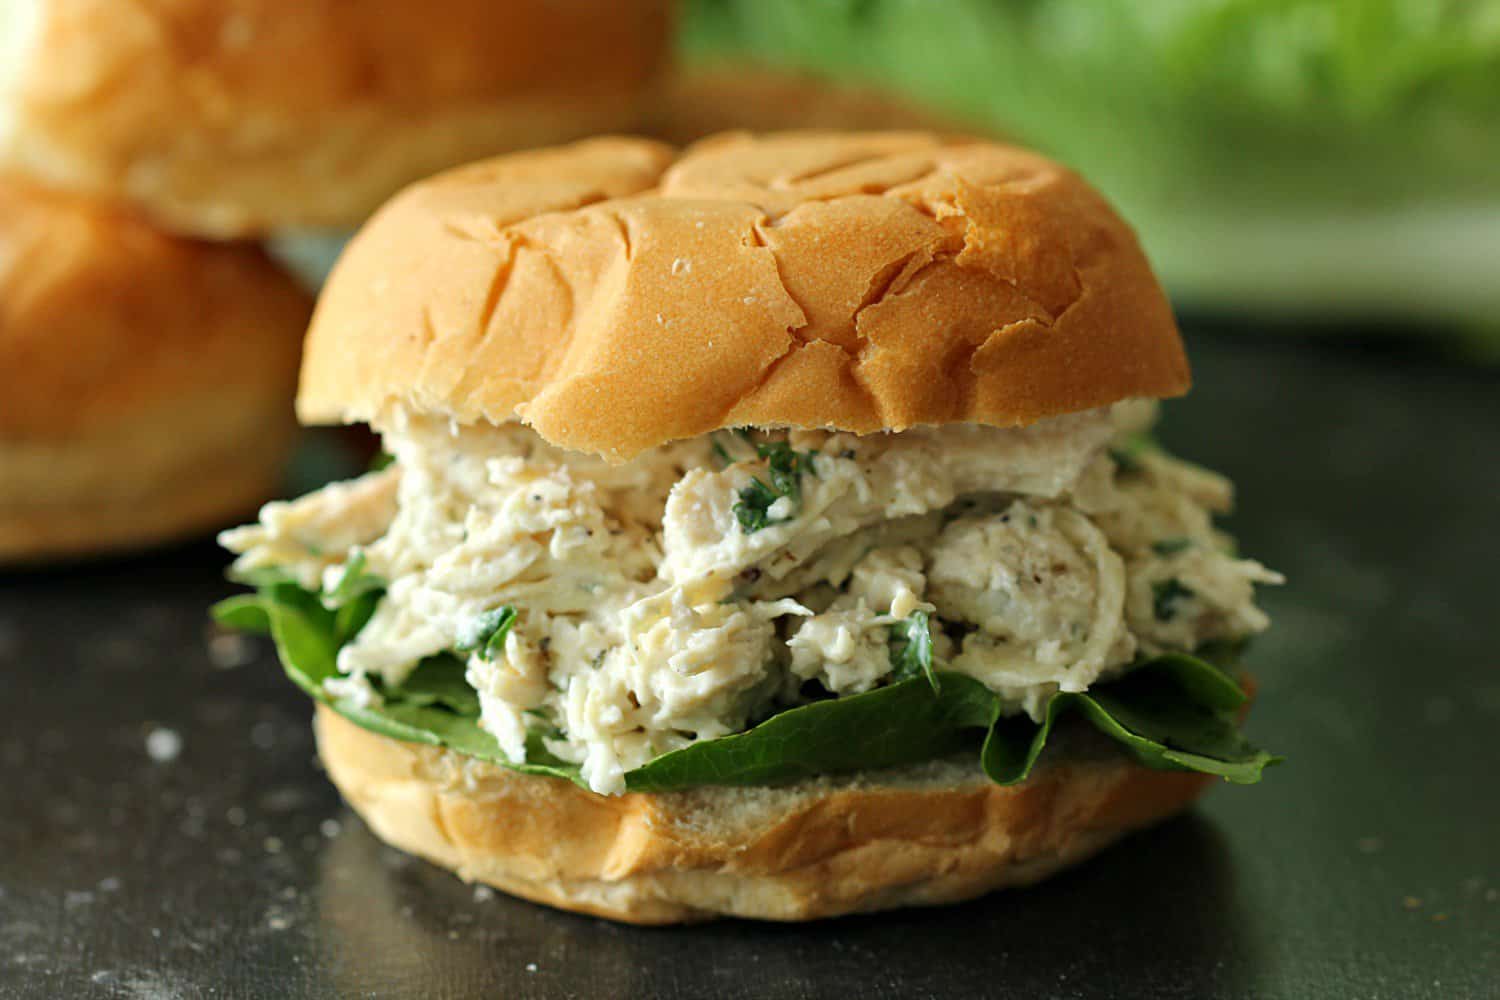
(148,380)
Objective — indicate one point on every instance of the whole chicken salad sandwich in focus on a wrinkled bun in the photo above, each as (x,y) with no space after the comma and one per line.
(772,528)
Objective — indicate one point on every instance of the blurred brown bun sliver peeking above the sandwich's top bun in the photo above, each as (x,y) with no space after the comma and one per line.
(703,101)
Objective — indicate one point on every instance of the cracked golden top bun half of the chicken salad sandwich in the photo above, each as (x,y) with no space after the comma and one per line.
(617,295)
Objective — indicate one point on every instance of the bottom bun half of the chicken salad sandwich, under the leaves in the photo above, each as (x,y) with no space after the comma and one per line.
(925,836)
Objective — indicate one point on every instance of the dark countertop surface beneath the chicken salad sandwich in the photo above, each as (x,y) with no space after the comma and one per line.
(1369,866)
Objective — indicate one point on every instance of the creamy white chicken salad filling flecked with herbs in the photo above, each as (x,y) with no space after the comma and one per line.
(650,618)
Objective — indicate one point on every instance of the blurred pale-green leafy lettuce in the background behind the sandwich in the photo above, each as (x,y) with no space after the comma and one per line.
(1318,160)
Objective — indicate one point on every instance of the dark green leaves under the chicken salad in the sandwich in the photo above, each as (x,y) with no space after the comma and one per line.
(1172,713)
